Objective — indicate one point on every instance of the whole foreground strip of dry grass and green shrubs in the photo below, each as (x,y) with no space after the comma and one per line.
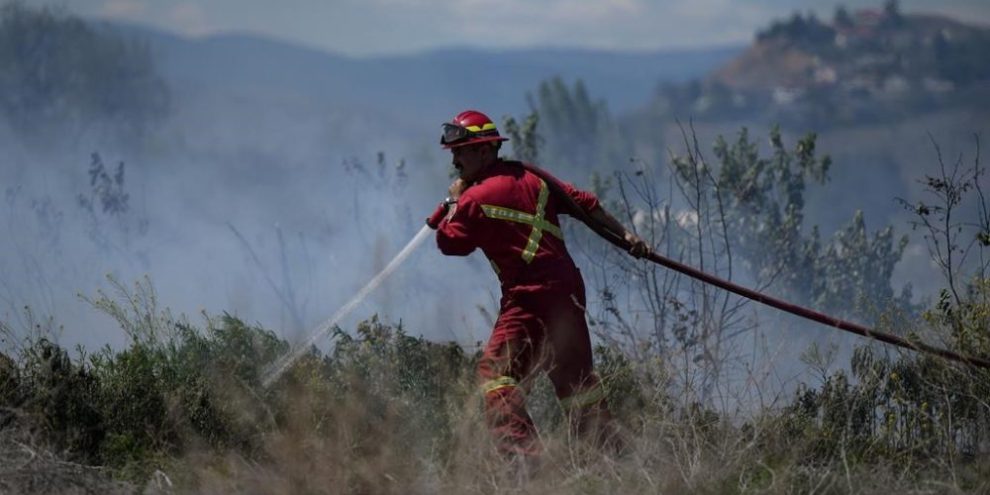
(387,413)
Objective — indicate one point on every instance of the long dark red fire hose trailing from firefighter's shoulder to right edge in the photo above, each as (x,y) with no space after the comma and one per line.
(619,241)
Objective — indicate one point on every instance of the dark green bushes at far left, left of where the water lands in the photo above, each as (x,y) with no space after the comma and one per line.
(173,387)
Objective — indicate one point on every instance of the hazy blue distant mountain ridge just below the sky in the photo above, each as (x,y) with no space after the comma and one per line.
(447,78)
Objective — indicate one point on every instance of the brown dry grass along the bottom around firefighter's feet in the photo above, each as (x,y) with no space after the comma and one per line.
(340,450)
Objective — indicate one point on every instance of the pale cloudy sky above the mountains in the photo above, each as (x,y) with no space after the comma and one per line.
(375,27)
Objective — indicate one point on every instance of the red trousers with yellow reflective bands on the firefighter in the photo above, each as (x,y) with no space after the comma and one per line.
(540,328)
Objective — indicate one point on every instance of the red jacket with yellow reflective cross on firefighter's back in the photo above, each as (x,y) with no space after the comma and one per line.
(510,214)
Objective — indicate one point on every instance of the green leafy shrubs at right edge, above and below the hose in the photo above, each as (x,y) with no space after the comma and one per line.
(916,410)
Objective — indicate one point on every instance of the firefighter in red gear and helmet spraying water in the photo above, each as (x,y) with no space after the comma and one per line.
(509,213)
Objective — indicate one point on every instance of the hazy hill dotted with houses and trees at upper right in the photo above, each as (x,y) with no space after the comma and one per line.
(867,66)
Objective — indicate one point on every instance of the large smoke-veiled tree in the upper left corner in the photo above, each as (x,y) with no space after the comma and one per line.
(56,71)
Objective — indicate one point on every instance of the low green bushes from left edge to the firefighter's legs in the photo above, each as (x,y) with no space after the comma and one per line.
(176,388)
